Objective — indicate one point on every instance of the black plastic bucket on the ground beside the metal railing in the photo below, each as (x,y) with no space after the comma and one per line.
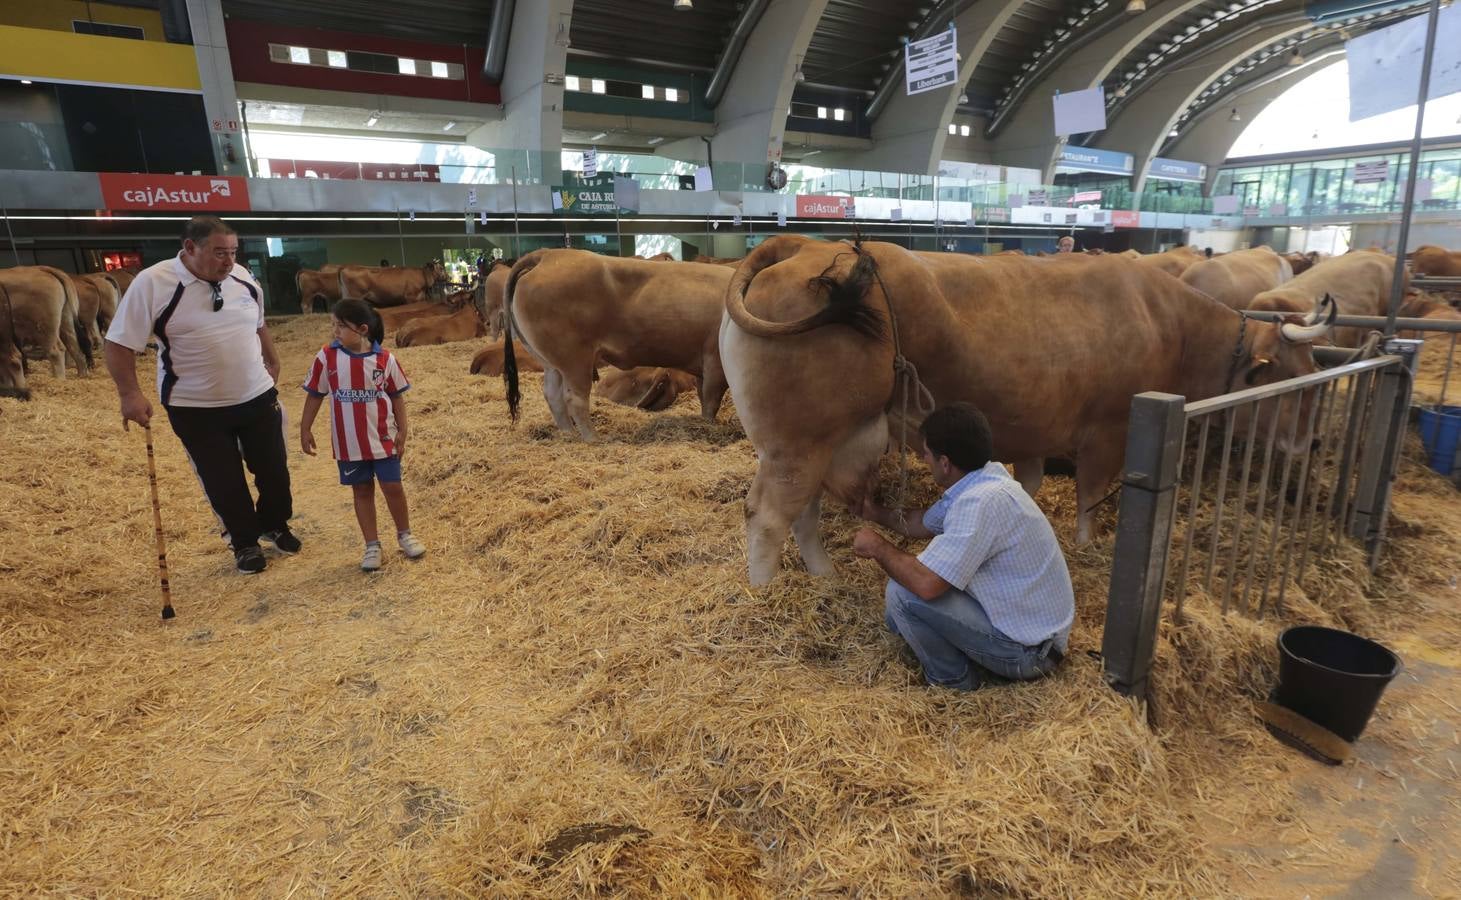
(1333,679)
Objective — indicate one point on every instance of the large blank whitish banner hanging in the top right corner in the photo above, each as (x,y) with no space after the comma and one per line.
(1386,65)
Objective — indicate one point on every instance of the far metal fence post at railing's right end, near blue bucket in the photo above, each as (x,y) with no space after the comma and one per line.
(1384,446)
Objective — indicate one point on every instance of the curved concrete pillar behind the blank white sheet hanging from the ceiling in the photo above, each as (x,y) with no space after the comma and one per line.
(1029,138)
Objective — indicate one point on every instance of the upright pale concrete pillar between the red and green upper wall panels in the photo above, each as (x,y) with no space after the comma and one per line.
(530,137)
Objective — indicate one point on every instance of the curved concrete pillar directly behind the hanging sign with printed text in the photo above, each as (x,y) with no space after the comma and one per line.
(911,134)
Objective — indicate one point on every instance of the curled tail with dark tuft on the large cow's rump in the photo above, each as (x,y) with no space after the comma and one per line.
(847,296)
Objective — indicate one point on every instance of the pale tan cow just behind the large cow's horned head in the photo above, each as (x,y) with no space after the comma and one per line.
(1358,283)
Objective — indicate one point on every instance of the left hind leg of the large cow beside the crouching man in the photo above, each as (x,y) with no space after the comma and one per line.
(781,492)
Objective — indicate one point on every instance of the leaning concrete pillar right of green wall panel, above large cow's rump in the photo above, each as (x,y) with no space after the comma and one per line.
(752,118)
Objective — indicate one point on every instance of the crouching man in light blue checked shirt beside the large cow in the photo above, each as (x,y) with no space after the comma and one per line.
(991,592)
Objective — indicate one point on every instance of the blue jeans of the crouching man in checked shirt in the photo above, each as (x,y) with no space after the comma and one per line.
(953,630)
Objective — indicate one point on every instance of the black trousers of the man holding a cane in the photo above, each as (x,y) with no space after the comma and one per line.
(221,442)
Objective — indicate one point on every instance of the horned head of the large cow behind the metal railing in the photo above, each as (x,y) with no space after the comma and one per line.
(1281,351)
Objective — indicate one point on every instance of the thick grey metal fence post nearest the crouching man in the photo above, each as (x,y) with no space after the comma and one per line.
(1143,537)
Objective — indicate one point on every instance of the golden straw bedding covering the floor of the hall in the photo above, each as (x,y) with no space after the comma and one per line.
(575,693)
